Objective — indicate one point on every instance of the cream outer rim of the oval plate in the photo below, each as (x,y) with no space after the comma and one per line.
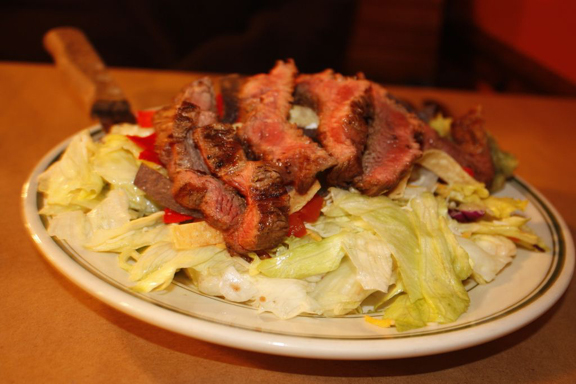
(278,344)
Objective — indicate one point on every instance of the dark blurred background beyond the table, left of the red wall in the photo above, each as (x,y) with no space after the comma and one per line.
(408,42)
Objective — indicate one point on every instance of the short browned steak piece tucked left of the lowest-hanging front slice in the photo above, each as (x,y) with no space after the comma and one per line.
(220,205)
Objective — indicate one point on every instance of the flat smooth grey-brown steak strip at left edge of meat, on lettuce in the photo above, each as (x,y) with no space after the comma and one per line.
(159,188)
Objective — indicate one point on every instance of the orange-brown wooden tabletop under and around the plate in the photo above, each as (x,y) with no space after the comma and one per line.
(52,331)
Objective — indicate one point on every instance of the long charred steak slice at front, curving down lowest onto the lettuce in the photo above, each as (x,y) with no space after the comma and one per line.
(264,223)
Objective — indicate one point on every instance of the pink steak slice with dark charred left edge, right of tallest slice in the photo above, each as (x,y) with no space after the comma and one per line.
(344,108)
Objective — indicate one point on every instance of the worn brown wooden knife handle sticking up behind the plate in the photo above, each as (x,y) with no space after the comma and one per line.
(83,68)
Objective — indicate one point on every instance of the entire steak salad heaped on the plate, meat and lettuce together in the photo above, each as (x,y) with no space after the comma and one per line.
(296,194)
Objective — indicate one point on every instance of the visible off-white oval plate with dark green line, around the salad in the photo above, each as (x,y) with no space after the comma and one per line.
(523,291)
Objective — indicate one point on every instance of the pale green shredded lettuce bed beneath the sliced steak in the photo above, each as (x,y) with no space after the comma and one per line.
(405,256)
